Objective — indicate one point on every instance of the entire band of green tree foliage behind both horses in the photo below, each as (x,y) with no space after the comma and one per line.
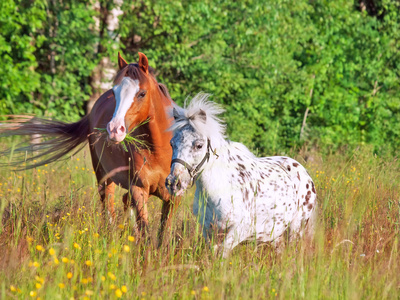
(268,62)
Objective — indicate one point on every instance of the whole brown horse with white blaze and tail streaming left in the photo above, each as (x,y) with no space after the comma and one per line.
(137,105)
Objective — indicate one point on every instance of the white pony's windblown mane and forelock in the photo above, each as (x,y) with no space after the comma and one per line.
(210,126)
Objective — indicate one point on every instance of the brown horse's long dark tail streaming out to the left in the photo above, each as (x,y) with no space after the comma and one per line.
(56,140)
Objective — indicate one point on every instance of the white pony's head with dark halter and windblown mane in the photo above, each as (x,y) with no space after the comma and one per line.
(197,131)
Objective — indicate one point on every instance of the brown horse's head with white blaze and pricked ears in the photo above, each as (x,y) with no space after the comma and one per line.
(135,88)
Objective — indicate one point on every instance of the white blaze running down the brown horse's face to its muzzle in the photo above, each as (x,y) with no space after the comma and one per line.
(124,94)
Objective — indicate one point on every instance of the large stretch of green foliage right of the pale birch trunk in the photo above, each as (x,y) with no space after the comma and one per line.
(269,62)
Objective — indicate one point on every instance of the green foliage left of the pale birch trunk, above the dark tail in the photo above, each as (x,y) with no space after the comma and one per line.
(48,50)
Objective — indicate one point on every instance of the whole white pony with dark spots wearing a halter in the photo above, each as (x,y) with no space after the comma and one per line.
(247,197)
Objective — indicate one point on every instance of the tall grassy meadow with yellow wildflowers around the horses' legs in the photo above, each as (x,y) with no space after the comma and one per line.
(56,244)
